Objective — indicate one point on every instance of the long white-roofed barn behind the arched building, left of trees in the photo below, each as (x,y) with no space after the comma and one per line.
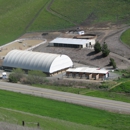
(74,43)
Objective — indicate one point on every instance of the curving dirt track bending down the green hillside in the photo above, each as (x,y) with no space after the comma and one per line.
(56,13)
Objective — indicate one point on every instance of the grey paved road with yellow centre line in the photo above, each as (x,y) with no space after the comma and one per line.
(104,104)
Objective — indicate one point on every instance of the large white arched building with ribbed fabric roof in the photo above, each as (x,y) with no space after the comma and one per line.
(46,62)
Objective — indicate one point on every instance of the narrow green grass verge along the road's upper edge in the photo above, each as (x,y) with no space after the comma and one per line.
(113,95)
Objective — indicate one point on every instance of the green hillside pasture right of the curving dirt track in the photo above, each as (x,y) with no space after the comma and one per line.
(94,11)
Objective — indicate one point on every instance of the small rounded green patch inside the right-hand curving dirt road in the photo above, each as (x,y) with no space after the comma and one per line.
(125,37)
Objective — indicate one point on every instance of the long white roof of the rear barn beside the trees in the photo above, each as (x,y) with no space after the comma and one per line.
(70,41)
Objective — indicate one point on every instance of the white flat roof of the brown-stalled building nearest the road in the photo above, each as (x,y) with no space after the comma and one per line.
(88,70)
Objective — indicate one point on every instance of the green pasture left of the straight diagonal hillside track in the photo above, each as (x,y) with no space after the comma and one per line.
(15,16)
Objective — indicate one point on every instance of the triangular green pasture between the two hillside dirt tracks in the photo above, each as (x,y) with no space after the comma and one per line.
(48,22)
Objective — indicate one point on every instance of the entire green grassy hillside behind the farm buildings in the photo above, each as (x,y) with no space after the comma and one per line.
(19,17)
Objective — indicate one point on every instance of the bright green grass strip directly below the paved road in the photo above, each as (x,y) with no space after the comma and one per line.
(64,111)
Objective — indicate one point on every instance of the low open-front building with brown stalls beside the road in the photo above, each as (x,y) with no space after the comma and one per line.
(88,73)
